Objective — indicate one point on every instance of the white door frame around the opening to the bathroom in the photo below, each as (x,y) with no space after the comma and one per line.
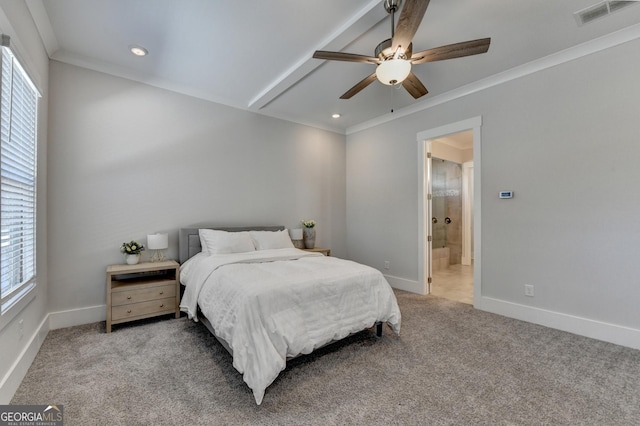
(424,182)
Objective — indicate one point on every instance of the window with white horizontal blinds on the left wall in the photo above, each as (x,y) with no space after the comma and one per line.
(18,123)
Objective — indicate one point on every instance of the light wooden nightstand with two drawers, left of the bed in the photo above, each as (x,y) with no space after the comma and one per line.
(142,291)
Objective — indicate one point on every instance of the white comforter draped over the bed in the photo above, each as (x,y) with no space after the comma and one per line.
(272,304)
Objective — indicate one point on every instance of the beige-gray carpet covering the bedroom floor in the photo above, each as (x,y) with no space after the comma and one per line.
(451,365)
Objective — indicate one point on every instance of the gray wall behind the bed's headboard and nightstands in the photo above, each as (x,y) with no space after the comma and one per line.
(128,159)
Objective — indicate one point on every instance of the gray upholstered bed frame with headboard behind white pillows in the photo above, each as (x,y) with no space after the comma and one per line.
(189,246)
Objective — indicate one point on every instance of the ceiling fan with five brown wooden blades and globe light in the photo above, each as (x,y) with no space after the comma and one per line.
(394,56)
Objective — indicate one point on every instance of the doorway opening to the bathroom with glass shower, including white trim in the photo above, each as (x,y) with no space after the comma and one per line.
(463,273)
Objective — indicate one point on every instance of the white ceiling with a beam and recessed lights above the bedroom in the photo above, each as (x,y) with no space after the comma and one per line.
(256,54)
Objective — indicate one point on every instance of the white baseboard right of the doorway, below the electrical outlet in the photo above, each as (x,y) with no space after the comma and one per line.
(619,335)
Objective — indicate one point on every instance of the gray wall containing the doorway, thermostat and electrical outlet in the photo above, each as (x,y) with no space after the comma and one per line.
(566,141)
